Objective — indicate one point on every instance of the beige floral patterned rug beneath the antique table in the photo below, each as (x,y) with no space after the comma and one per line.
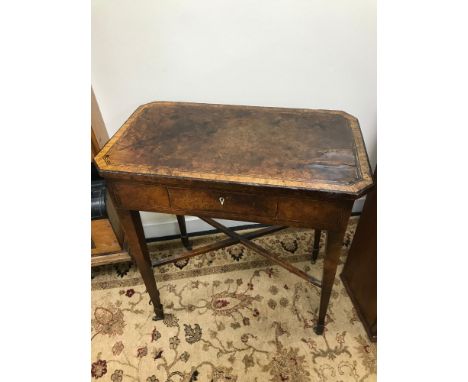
(230,316)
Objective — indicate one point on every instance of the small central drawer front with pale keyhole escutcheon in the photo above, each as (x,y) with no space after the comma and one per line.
(220,201)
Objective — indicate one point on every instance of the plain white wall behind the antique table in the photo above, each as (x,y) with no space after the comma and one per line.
(286,53)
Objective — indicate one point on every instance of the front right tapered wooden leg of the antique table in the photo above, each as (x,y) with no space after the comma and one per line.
(334,245)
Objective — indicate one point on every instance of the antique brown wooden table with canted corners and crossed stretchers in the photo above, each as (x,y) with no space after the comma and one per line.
(282,167)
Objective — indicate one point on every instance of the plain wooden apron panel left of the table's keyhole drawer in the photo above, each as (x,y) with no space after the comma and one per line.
(141,197)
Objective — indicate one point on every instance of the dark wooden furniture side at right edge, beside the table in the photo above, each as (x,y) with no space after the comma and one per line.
(360,271)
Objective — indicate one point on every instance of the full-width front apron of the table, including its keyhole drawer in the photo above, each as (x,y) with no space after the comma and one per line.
(302,212)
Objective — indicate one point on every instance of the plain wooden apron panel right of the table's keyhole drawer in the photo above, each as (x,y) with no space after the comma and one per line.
(319,214)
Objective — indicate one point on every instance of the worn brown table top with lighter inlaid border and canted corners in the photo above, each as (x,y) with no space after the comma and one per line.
(317,150)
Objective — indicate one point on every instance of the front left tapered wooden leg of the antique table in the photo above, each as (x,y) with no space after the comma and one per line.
(135,237)
